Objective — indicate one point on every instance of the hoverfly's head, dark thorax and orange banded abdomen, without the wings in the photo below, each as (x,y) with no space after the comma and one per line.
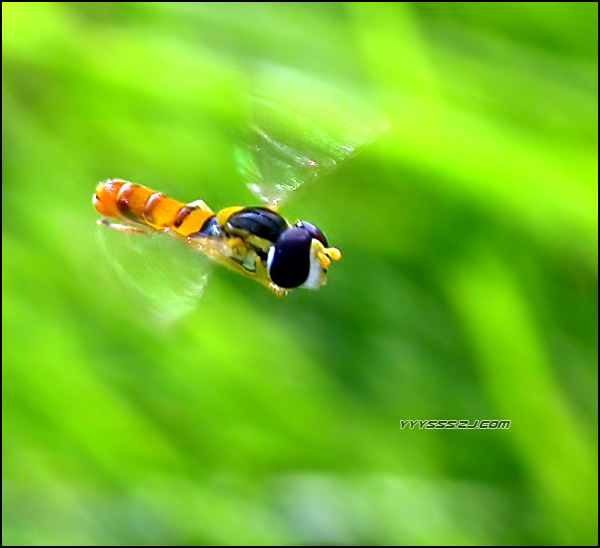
(254,241)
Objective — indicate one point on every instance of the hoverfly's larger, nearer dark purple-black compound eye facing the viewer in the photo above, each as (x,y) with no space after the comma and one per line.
(289,258)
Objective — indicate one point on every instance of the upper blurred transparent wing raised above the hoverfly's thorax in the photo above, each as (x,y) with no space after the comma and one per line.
(300,130)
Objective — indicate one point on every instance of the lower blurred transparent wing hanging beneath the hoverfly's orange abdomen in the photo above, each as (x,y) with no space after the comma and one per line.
(166,277)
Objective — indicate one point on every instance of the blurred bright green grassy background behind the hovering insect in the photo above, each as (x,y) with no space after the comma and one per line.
(467,290)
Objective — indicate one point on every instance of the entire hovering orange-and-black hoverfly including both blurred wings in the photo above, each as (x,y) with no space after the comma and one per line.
(301,131)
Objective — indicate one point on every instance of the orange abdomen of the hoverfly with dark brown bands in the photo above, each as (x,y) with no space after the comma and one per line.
(134,203)
